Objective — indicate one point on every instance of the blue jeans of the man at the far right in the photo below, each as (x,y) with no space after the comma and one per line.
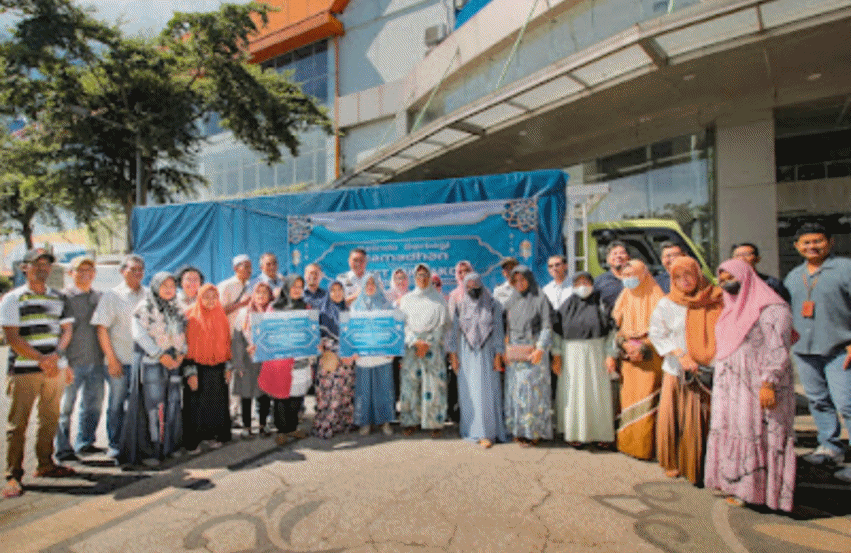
(828,387)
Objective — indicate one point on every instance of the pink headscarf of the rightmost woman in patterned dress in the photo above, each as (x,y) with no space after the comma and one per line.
(741,311)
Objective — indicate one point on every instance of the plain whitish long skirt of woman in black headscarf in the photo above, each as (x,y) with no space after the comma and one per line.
(584,401)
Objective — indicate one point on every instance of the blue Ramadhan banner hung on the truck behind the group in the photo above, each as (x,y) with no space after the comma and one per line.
(437,235)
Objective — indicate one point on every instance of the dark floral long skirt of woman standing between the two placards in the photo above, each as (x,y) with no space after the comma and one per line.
(334,397)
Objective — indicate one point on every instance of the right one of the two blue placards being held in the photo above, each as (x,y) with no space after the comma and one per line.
(372,333)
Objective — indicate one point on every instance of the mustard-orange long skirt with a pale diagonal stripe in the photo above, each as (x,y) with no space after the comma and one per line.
(640,390)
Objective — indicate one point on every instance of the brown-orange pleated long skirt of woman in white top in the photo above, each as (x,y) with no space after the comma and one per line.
(682,427)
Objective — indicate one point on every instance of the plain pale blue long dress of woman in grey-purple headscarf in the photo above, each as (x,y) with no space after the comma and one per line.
(479,385)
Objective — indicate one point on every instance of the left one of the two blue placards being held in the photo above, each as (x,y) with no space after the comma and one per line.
(285,334)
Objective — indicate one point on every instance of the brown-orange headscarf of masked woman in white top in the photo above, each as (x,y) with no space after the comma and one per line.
(703,307)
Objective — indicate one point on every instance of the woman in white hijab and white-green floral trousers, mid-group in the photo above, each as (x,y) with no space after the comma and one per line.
(423,395)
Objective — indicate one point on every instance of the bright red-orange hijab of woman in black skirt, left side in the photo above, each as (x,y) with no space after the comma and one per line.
(207,332)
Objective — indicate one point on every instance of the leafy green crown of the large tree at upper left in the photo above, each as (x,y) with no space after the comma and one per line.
(144,99)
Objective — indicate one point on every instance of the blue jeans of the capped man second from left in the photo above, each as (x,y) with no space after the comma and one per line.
(91,379)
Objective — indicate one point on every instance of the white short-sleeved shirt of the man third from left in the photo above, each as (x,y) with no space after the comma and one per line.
(115,313)
